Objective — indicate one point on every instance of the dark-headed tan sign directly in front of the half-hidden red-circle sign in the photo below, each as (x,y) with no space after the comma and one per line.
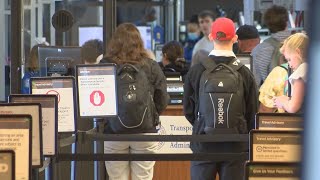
(49,119)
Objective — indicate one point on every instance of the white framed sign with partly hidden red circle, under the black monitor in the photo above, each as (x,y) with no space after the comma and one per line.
(63,88)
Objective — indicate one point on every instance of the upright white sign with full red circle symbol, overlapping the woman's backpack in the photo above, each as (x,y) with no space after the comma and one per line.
(97,90)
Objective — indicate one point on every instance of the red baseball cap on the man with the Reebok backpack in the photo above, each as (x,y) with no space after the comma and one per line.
(222,29)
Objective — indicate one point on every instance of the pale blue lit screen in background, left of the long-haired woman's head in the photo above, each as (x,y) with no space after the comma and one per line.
(90,32)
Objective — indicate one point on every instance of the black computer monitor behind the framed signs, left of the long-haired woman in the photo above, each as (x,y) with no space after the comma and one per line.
(58,61)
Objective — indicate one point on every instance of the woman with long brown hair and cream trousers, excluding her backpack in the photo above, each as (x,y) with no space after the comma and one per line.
(126,47)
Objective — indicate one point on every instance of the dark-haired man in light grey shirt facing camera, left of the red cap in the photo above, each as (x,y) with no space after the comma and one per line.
(205,19)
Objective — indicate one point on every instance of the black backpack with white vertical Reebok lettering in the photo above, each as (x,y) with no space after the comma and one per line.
(221,98)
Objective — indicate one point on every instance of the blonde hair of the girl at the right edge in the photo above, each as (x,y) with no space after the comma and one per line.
(296,41)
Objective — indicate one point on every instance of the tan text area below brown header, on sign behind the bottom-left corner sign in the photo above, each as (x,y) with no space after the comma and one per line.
(17,140)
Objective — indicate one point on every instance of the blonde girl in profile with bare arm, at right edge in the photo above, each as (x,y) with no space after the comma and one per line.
(294,50)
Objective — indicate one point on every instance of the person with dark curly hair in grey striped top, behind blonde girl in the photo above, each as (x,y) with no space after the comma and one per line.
(276,19)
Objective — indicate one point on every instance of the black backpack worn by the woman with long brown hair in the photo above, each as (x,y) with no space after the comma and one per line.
(136,109)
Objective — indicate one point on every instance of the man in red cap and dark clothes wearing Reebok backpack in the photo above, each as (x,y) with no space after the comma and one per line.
(220,97)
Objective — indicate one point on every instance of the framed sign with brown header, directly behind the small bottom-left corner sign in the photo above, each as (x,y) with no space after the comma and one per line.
(15,135)
